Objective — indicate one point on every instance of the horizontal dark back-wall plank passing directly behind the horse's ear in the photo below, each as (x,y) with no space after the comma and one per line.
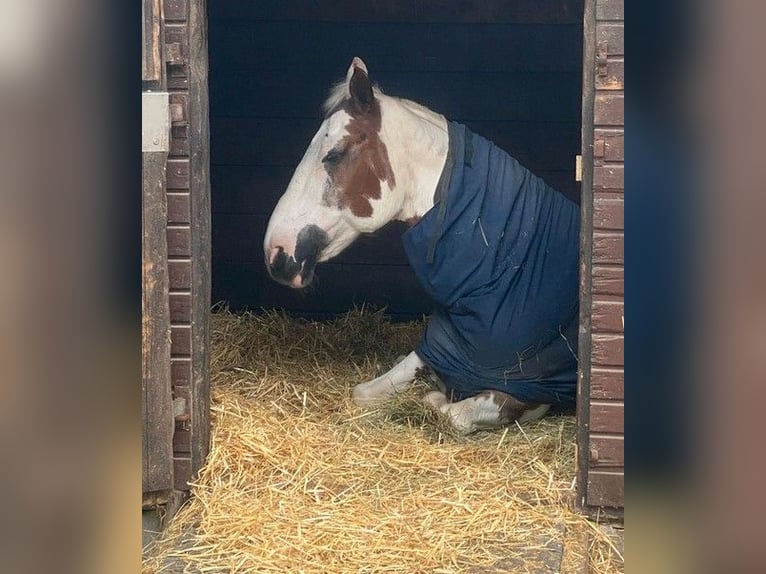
(462,96)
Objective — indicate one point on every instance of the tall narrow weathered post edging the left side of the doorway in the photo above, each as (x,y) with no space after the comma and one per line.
(199,136)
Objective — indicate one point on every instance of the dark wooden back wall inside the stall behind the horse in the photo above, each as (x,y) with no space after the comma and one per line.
(511,70)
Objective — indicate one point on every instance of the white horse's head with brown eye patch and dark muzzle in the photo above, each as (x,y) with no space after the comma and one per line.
(343,186)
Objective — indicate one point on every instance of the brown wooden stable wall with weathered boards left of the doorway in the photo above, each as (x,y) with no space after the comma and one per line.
(177,372)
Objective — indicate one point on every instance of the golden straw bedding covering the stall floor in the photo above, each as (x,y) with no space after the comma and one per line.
(300,480)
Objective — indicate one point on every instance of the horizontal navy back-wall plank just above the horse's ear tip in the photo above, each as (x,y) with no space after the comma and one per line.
(246,46)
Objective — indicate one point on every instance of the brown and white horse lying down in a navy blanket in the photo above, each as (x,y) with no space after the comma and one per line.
(493,245)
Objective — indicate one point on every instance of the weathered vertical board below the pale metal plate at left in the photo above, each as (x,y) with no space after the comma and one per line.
(155,365)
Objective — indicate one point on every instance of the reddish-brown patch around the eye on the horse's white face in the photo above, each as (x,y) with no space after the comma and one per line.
(359,161)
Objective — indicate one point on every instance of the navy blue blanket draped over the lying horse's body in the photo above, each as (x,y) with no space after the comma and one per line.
(498,254)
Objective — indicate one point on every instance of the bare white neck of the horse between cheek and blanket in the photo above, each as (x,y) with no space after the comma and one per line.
(417,141)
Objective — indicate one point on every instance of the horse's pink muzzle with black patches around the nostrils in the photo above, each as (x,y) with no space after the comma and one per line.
(297,270)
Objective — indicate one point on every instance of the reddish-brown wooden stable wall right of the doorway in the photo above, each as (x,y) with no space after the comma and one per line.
(601,394)
